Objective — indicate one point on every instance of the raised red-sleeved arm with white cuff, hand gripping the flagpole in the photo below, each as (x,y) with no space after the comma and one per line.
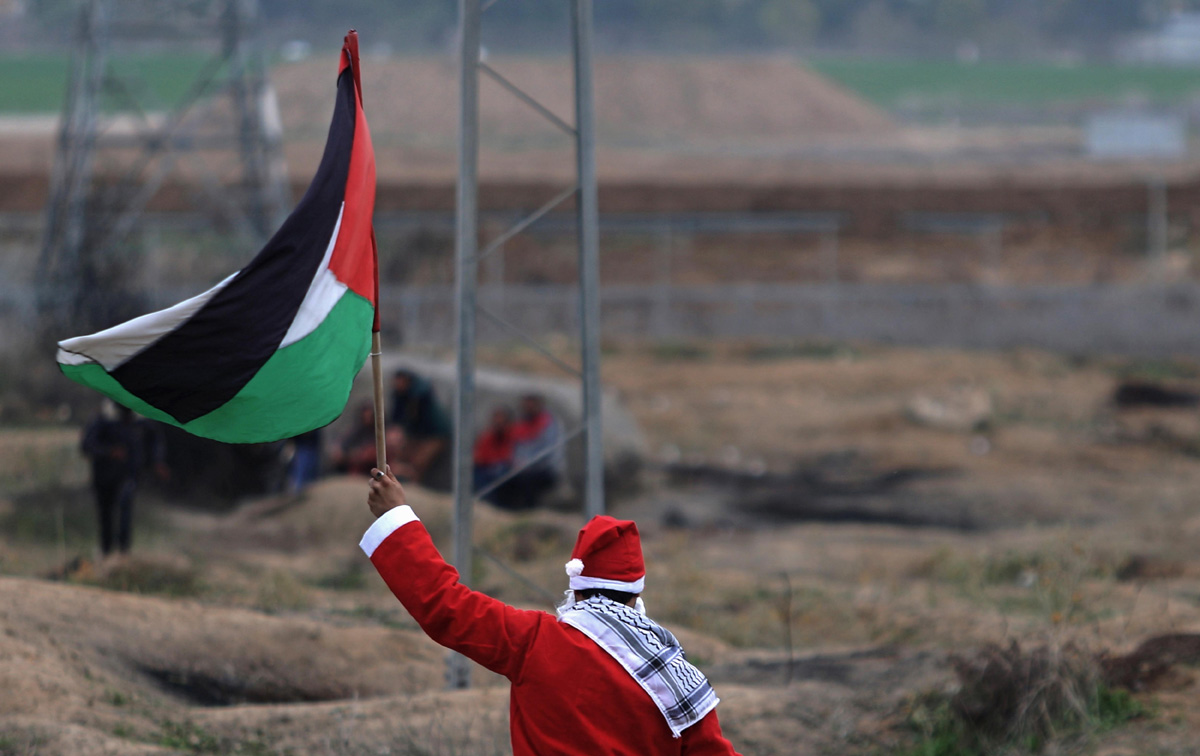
(477,626)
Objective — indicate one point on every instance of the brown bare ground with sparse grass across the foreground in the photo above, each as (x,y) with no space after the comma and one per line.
(1051,517)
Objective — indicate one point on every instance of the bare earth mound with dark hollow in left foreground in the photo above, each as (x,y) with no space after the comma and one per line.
(62,641)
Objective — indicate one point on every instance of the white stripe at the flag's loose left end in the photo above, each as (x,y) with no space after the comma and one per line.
(115,346)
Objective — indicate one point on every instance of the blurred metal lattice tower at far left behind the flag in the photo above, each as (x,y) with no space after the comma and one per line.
(119,145)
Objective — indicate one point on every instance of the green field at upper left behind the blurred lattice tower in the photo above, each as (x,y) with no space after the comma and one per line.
(38,83)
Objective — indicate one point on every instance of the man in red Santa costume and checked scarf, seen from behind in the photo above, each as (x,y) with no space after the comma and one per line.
(601,679)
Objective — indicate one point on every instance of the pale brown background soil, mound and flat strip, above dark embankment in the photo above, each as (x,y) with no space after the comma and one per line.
(758,121)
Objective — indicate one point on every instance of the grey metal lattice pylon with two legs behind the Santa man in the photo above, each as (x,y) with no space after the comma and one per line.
(470,257)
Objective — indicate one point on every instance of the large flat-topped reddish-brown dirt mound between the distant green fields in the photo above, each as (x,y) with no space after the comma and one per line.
(640,101)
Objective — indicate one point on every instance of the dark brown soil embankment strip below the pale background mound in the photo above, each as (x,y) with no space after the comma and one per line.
(1083,205)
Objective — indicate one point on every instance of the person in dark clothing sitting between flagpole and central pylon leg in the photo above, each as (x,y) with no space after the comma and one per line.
(423,425)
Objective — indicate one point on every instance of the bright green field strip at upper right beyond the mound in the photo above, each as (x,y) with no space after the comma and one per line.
(895,83)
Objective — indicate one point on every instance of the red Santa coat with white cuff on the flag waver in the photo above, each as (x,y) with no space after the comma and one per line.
(569,697)
